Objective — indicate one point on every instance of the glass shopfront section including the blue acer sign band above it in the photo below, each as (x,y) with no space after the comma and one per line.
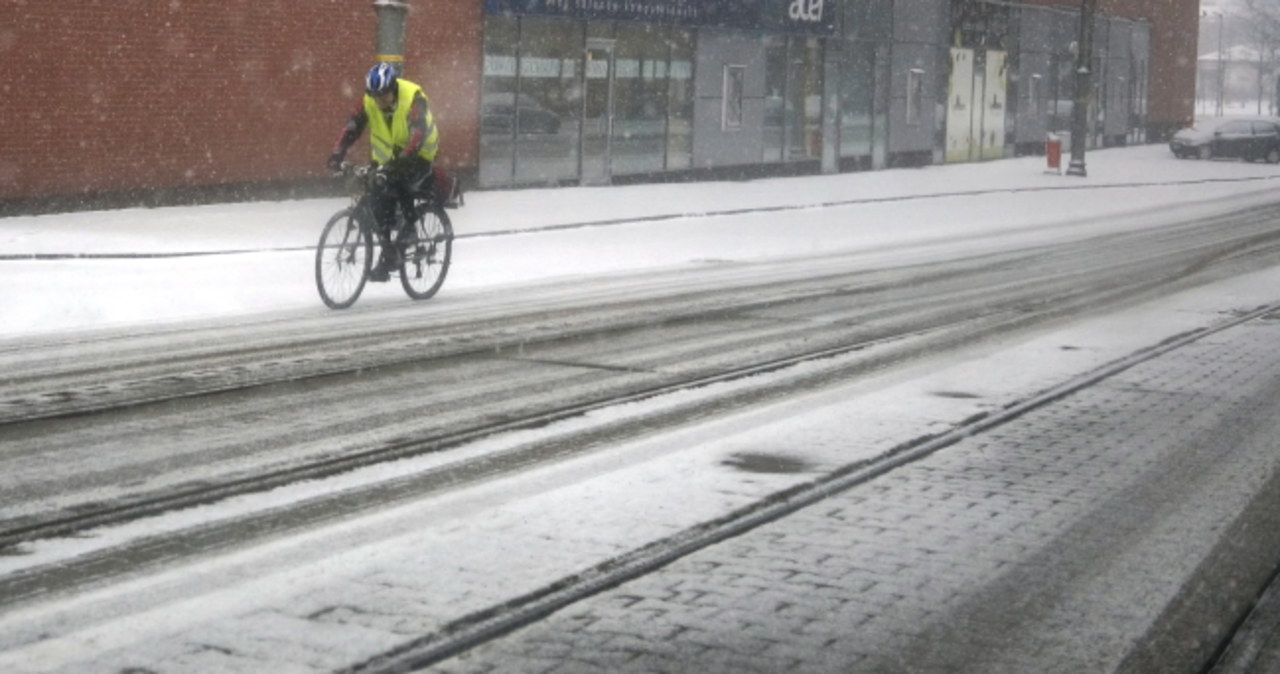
(591,94)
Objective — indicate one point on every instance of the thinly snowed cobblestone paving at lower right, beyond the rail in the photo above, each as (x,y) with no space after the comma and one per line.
(1126,528)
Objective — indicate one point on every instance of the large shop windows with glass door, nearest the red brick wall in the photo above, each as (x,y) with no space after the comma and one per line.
(583,102)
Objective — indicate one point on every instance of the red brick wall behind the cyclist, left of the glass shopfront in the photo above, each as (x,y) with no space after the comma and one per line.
(113,95)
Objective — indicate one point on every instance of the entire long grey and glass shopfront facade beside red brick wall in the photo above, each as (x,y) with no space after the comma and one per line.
(588,93)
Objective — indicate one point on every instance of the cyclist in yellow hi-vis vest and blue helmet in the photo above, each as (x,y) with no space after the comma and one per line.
(404,139)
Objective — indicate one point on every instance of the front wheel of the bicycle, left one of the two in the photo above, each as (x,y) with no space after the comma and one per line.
(344,258)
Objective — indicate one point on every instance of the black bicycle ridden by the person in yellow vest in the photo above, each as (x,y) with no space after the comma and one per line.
(350,245)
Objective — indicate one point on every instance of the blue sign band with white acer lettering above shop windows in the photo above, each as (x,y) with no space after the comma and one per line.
(776,16)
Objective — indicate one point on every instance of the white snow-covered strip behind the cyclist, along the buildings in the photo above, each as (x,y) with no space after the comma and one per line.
(266,263)
